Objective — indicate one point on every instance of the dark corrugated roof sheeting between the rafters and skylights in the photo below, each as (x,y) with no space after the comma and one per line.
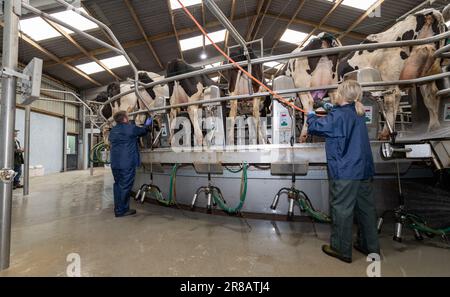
(155,18)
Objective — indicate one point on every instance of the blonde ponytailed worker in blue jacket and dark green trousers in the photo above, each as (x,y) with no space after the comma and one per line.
(350,172)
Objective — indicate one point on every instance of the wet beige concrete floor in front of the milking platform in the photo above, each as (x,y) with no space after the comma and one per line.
(72,213)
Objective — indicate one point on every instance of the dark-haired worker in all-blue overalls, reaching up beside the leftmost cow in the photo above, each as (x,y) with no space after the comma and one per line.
(125,158)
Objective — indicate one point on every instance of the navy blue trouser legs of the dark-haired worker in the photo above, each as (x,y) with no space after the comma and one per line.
(123,183)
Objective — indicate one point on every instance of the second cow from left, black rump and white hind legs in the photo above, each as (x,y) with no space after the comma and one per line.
(187,90)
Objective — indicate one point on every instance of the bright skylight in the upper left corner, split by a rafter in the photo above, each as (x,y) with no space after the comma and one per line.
(38,29)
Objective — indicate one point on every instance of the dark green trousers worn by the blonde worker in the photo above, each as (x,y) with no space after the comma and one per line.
(349,198)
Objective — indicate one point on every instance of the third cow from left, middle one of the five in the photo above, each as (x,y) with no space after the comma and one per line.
(239,84)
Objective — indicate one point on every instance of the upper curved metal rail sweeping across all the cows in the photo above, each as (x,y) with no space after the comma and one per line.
(312,53)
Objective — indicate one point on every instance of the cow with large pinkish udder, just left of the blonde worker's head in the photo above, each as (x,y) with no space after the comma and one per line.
(312,72)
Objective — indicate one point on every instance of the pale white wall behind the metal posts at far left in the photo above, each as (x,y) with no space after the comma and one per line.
(46,141)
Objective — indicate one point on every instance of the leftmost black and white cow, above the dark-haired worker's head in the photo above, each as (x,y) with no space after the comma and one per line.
(129,102)
